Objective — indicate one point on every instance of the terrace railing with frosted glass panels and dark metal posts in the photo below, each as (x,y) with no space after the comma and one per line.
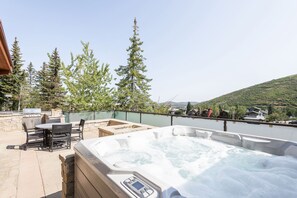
(272,130)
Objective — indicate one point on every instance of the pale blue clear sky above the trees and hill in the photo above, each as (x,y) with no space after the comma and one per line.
(195,50)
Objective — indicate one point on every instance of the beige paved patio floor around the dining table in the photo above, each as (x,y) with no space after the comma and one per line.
(31,173)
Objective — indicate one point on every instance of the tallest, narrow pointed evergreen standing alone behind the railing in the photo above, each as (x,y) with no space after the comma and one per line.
(133,87)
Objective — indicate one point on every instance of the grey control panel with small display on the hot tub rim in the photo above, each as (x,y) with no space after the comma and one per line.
(140,188)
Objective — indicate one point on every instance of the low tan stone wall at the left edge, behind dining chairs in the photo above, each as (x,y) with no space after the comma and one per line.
(11,123)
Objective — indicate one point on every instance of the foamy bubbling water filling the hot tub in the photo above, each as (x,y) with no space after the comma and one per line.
(205,168)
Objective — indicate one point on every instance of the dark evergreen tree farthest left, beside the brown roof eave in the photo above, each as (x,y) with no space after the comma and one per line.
(11,85)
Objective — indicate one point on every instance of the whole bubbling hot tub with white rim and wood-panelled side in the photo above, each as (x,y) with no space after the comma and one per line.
(181,161)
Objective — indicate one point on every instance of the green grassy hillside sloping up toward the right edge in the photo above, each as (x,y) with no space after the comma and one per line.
(281,92)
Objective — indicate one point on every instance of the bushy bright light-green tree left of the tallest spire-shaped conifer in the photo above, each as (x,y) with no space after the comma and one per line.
(87,82)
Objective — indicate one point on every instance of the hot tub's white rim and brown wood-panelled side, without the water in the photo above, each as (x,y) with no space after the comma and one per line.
(95,177)
